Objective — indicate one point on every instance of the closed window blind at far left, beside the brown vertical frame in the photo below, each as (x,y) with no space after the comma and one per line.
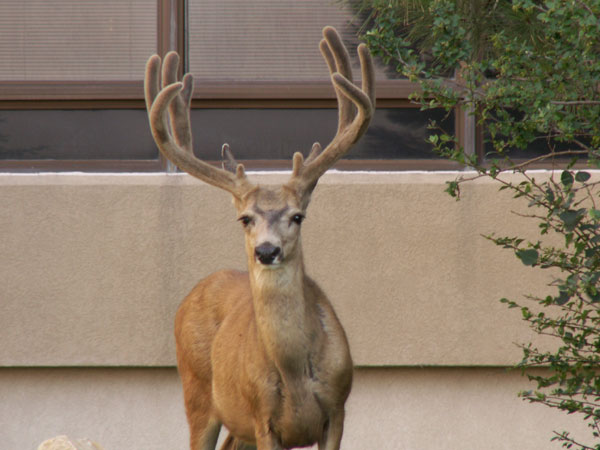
(57,40)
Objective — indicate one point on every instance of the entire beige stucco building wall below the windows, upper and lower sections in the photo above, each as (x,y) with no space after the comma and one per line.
(94,266)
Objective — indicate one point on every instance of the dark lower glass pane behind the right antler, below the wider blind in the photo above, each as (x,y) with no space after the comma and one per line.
(394,133)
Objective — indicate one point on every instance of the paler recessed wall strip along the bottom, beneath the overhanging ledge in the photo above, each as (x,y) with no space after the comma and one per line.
(388,409)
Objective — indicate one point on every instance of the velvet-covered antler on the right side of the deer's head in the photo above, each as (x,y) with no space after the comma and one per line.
(355,109)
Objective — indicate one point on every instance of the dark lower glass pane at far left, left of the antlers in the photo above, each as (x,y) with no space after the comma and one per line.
(76,134)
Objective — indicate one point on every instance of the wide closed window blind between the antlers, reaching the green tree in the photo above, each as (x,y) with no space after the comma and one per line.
(266,40)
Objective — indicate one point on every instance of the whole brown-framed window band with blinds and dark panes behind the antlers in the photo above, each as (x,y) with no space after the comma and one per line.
(71,95)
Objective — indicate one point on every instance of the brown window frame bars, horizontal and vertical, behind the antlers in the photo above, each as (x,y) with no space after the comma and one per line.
(171,32)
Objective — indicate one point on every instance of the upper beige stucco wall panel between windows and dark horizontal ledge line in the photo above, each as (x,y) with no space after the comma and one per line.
(94,266)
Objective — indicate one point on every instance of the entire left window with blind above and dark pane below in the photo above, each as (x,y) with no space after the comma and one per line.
(71,86)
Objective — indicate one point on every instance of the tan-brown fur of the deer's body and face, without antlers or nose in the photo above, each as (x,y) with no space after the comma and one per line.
(263,352)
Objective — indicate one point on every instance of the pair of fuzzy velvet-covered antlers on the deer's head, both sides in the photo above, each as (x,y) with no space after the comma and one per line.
(355,109)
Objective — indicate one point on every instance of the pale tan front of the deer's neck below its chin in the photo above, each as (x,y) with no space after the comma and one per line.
(283,314)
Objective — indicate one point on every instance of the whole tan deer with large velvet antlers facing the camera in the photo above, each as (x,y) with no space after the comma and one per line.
(262,352)
